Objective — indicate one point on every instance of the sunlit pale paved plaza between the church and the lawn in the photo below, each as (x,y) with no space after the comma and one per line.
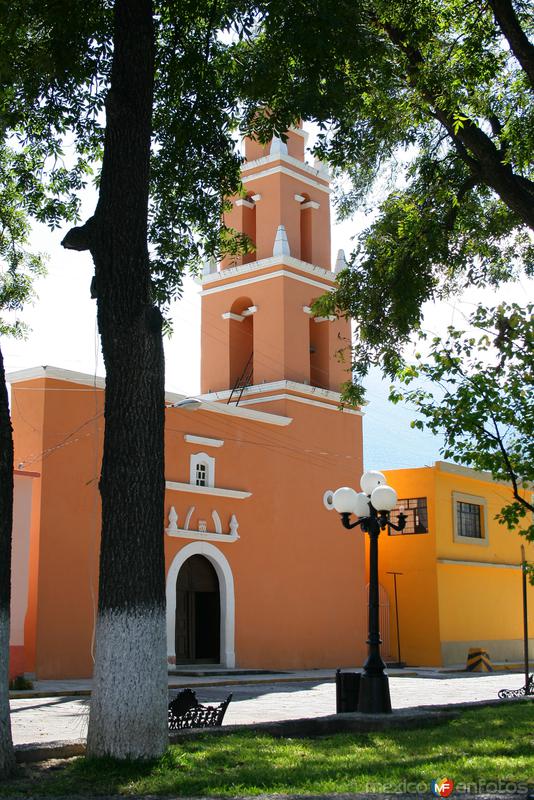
(39,720)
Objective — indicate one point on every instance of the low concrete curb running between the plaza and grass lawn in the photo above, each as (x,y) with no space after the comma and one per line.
(299,728)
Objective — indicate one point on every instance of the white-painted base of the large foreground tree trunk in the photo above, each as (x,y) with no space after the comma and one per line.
(129,685)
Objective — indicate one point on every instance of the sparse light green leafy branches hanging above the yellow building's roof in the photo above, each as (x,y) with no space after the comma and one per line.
(478,390)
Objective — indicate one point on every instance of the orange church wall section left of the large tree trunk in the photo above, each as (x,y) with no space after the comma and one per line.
(64,444)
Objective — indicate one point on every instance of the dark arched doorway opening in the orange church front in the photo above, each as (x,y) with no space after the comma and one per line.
(198,613)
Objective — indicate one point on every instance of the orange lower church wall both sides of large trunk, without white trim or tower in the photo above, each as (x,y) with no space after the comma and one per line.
(297,575)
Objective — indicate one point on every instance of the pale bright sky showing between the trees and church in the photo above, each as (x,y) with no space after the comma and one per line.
(63,333)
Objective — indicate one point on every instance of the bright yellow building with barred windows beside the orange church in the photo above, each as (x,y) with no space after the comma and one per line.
(460,584)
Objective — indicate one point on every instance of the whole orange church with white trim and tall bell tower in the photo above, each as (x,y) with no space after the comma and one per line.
(260,573)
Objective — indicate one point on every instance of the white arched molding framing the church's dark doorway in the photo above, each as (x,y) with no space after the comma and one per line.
(227,596)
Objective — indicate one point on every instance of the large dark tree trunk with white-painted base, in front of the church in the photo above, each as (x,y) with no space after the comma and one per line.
(128,712)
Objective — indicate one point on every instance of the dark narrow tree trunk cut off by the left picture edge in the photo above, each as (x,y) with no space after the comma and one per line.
(7,755)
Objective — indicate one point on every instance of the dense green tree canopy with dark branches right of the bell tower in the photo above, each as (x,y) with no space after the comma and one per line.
(426,117)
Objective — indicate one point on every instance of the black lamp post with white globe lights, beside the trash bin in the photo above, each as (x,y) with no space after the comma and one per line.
(372,507)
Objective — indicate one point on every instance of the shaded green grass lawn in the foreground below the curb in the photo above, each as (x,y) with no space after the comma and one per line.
(489,744)
